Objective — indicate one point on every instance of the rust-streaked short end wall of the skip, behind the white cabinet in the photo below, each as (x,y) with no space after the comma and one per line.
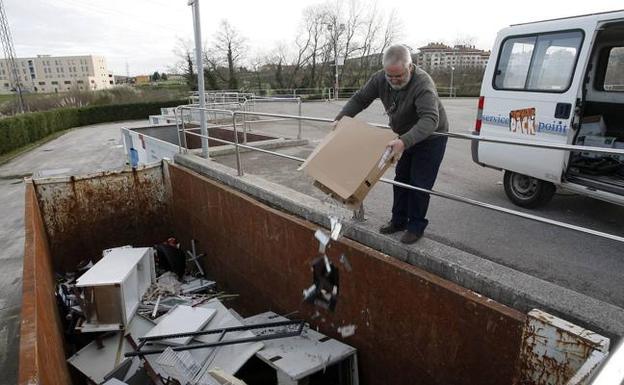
(84,215)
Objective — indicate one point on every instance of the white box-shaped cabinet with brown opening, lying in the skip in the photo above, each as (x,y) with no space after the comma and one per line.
(113,287)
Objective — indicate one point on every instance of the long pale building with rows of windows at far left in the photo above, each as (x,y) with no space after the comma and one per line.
(48,74)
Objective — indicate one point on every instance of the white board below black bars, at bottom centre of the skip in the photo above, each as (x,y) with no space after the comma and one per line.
(301,355)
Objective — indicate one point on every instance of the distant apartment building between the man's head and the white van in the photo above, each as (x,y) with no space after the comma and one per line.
(440,56)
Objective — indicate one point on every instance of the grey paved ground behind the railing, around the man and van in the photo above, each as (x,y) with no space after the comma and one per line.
(580,262)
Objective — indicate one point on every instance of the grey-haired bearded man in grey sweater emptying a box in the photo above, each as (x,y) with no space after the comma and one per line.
(414,110)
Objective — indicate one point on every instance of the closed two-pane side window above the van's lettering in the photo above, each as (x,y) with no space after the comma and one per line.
(543,62)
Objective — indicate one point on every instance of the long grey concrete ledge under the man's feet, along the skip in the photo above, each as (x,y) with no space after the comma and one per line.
(500,283)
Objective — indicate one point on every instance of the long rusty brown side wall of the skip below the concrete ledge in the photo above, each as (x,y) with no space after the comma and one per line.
(412,326)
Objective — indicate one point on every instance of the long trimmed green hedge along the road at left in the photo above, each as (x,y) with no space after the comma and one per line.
(21,130)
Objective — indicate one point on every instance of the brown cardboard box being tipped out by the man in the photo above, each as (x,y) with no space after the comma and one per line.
(348,161)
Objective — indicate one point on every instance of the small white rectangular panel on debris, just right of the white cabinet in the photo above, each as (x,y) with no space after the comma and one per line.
(181,319)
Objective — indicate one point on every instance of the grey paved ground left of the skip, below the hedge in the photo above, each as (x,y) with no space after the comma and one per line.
(84,150)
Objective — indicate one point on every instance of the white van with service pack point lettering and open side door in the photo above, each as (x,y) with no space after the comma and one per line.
(556,81)
